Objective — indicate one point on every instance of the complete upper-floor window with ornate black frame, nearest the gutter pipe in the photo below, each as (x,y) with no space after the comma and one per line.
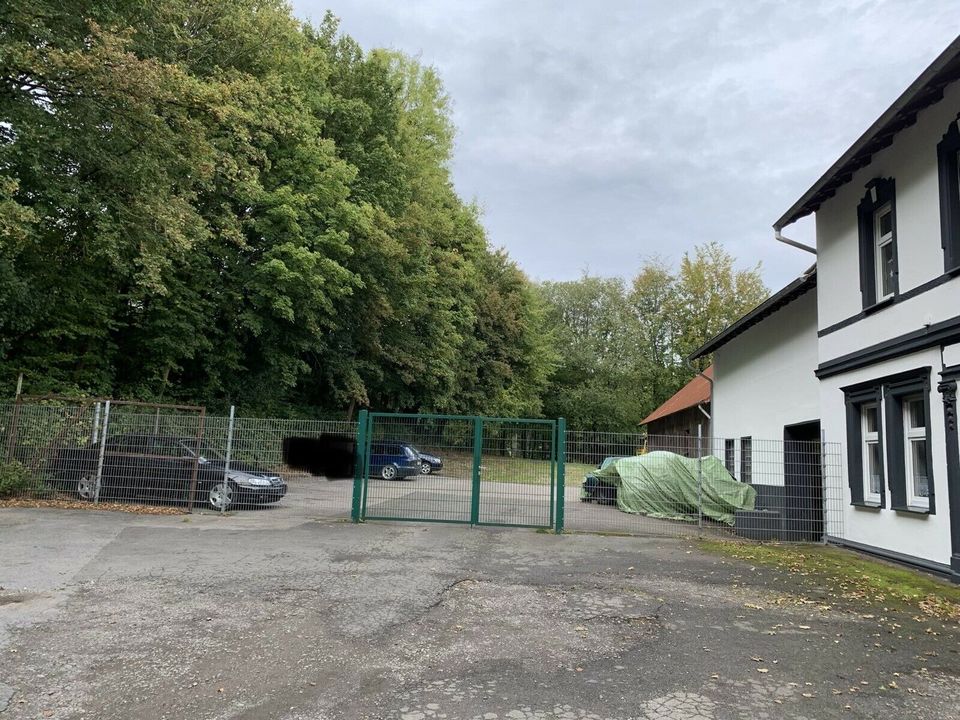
(877,219)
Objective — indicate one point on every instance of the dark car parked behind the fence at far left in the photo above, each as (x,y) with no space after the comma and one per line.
(160,468)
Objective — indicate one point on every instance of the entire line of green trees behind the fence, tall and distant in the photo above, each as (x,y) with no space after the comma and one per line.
(212,202)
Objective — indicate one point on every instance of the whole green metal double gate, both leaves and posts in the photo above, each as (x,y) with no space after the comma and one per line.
(460,469)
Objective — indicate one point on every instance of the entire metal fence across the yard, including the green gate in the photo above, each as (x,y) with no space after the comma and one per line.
(470,470)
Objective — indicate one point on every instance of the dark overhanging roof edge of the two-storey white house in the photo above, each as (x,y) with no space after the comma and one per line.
(926,90)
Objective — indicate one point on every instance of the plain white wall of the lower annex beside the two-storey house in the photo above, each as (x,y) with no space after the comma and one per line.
(763,380)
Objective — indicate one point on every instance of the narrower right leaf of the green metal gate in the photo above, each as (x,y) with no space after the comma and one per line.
(518,469)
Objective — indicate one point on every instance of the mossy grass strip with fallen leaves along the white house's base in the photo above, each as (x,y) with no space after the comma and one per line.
(850,576)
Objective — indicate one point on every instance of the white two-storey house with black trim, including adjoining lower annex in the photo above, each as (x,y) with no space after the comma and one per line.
(887,341)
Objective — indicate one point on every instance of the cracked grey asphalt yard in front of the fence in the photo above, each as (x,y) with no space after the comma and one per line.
(258,616)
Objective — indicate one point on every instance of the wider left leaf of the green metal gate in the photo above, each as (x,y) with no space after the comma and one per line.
(399,485)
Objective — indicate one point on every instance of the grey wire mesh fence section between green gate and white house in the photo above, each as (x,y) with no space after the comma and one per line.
(787,490)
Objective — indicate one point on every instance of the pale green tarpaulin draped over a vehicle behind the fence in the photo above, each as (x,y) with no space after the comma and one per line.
(664,485)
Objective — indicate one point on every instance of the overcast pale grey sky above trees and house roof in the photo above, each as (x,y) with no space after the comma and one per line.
(597,135)
